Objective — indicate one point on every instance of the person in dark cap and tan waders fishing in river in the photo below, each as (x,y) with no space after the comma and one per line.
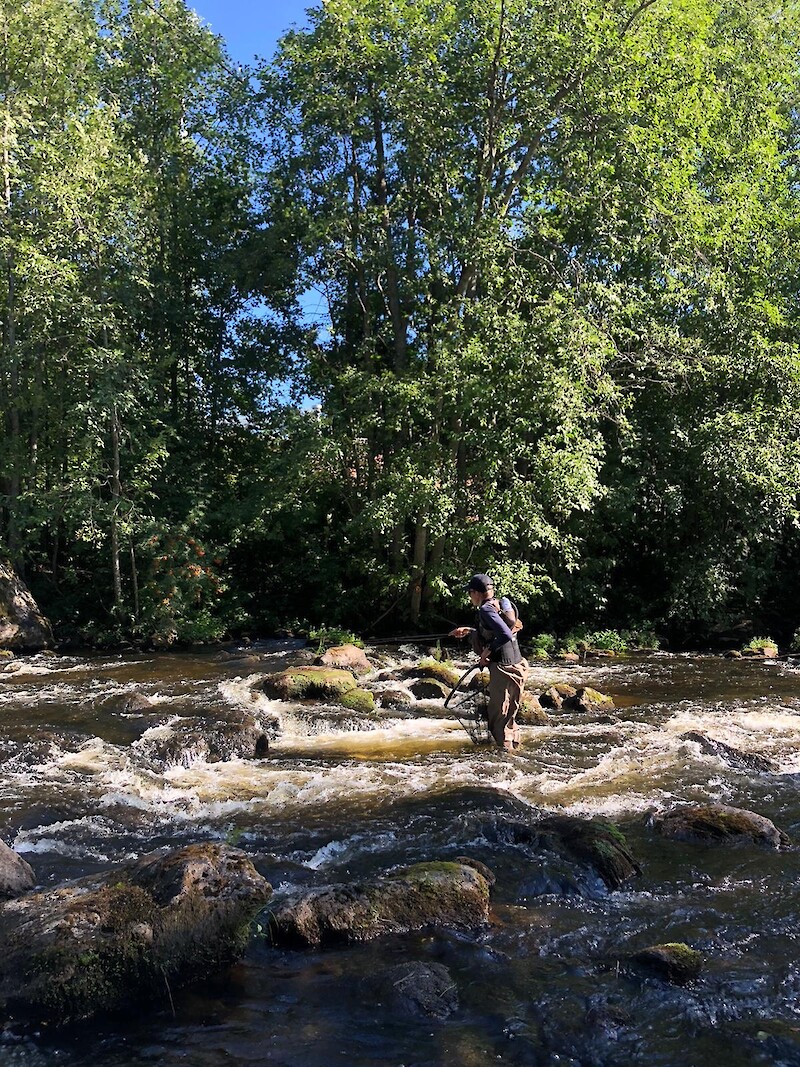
(495,643)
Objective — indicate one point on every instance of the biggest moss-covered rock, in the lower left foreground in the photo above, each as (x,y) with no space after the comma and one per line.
(100,945)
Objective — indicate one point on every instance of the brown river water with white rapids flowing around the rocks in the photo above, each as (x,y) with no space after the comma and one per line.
(83,787)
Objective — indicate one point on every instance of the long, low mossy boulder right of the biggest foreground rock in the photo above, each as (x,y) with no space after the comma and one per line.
(427,895)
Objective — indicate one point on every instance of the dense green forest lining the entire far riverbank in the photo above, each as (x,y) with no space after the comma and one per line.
(444,286)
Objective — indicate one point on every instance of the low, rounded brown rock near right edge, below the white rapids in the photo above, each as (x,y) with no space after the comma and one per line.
(717,824)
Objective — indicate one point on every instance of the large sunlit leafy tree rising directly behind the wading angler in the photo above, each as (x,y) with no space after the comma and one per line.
(508,210)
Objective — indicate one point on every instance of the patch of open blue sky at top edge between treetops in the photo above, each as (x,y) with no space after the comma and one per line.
(251,27)
